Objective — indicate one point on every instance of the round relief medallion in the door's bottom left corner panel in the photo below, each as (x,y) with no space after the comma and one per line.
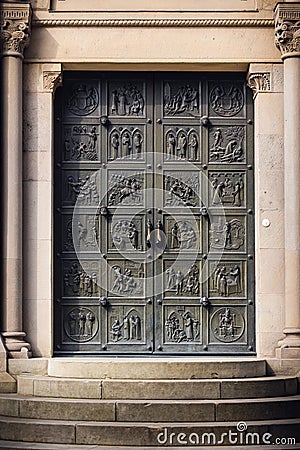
(81,324)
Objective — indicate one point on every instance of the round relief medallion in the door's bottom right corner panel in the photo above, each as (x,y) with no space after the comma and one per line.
(227,324)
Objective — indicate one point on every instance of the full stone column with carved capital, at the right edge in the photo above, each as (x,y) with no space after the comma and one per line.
(287,39)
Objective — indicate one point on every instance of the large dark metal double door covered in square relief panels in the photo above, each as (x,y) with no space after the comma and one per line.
(154,214)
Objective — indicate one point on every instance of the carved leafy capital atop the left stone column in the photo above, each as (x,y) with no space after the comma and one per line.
(15,27)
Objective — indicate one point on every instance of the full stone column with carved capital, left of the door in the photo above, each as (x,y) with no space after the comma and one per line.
(14,37)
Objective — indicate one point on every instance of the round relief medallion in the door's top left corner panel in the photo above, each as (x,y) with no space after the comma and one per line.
(83,100)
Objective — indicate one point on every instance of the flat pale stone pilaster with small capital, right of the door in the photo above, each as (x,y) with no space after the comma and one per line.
(266,82)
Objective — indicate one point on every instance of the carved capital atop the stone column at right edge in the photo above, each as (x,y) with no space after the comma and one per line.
(287,29)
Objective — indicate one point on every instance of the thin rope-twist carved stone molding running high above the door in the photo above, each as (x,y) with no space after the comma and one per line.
(158,23)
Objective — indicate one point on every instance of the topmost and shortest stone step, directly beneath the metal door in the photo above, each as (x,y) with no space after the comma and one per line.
(156,368)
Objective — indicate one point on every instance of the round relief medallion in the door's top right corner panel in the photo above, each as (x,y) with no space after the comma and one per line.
(226,100)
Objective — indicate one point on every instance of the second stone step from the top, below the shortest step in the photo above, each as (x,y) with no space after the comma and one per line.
(43,386)
